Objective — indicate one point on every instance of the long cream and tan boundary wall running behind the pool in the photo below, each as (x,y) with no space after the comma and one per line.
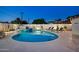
(8,27)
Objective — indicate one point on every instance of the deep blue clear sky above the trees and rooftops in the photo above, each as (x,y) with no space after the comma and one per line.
(8,13)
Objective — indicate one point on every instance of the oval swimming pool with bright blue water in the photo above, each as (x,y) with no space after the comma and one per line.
(34,36)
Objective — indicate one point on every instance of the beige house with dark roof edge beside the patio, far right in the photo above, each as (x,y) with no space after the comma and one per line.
(75,24)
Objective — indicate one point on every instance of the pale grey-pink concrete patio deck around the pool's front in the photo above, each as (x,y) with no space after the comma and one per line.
(59,45)
